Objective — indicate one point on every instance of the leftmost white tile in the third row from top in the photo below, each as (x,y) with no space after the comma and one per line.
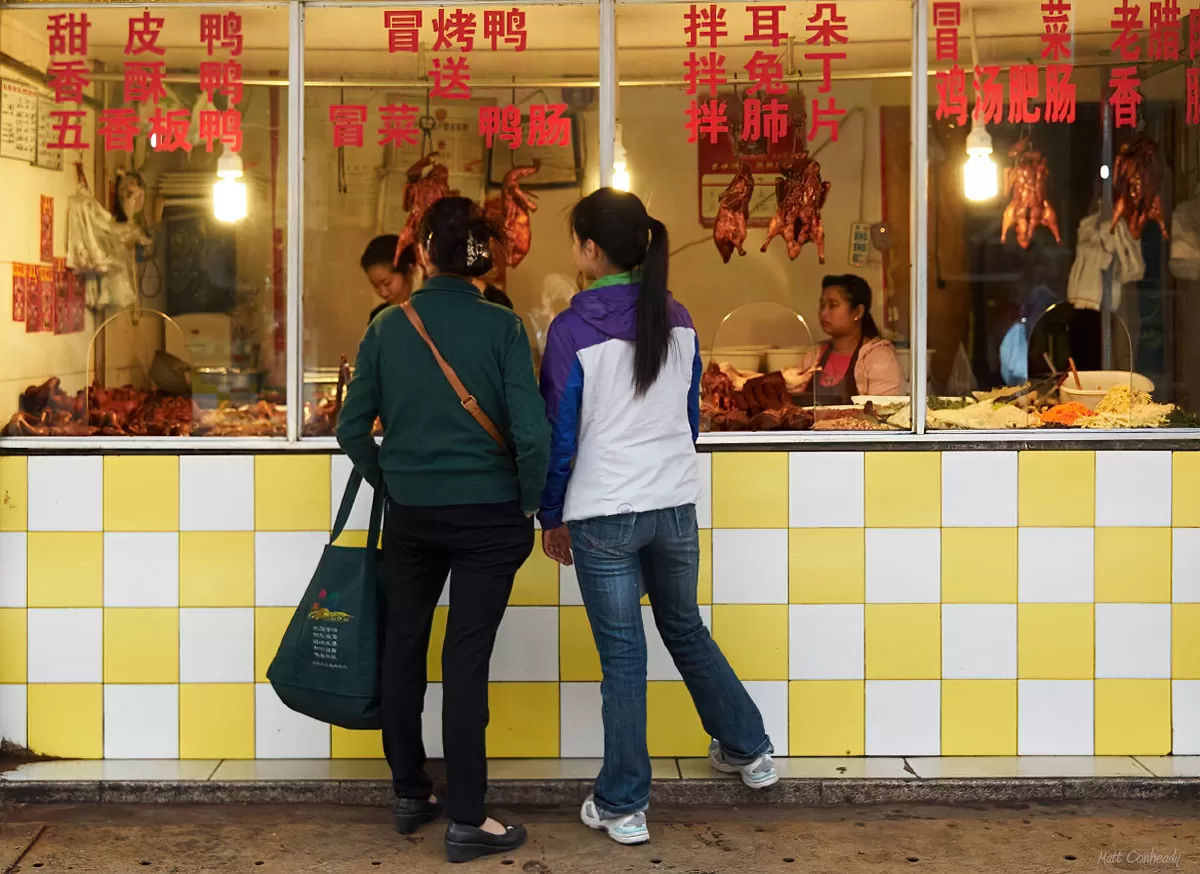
(65,646)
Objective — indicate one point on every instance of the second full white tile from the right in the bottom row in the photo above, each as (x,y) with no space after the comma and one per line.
(904,717)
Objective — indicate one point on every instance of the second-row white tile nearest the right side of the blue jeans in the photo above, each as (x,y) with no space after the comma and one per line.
(751,567)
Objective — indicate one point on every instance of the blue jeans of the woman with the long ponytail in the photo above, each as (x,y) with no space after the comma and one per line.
(663,548)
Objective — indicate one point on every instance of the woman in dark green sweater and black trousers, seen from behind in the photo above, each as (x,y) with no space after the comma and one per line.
(458,504)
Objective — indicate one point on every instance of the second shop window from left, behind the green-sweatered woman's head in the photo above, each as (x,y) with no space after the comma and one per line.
(404,105)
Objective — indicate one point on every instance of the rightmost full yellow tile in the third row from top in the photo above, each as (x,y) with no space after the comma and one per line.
(1055,642)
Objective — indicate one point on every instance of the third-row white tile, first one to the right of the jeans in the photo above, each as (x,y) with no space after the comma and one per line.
(826,642)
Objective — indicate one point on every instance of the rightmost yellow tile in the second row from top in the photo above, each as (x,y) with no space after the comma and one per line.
(1133,566)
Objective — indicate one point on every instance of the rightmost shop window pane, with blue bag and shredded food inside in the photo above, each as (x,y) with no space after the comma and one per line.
(1063,258)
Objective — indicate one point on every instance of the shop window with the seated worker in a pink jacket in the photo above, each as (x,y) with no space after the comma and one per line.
(772,140)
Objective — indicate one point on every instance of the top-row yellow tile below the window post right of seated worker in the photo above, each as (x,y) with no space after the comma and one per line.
(904,490)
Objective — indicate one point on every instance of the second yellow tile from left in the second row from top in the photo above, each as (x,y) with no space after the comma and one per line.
(217,570)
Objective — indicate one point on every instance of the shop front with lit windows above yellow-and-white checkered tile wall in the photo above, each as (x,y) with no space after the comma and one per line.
(969,530)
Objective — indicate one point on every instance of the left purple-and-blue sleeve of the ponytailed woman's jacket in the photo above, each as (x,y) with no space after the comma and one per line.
(562,387)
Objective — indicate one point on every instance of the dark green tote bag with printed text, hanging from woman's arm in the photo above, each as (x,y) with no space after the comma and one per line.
(328,663)
